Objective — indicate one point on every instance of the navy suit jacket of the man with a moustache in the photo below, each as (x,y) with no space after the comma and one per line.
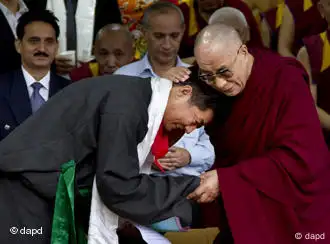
(15,104)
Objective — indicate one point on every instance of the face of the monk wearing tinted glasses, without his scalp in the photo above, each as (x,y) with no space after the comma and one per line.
(227,73)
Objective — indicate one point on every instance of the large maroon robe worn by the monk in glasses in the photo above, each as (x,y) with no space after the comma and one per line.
(272,162)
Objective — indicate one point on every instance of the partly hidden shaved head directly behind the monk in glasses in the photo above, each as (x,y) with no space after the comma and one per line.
(234,18)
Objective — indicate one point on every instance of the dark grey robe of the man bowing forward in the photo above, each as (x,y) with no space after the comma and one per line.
(104,118)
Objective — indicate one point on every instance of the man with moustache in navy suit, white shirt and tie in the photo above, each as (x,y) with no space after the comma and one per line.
(23,91)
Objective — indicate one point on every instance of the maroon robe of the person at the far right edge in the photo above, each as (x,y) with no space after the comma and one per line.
(314,46)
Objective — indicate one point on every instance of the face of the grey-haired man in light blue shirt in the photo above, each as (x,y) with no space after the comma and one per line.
(164,36)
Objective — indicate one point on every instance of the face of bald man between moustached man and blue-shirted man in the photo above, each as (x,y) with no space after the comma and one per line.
(113,50)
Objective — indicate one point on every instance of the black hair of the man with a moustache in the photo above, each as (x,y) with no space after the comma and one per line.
(41,15)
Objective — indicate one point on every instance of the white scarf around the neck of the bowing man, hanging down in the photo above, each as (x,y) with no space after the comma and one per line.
(103,223)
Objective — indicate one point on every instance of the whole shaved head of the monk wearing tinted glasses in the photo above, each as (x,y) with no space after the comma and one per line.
(223,59)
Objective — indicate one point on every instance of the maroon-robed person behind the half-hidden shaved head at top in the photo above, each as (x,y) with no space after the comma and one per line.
(203,9)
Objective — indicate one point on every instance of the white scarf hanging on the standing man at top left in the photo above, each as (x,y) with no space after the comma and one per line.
(84,25)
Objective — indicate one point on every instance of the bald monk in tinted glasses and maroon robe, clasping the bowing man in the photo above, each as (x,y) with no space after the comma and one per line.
(272,174)
